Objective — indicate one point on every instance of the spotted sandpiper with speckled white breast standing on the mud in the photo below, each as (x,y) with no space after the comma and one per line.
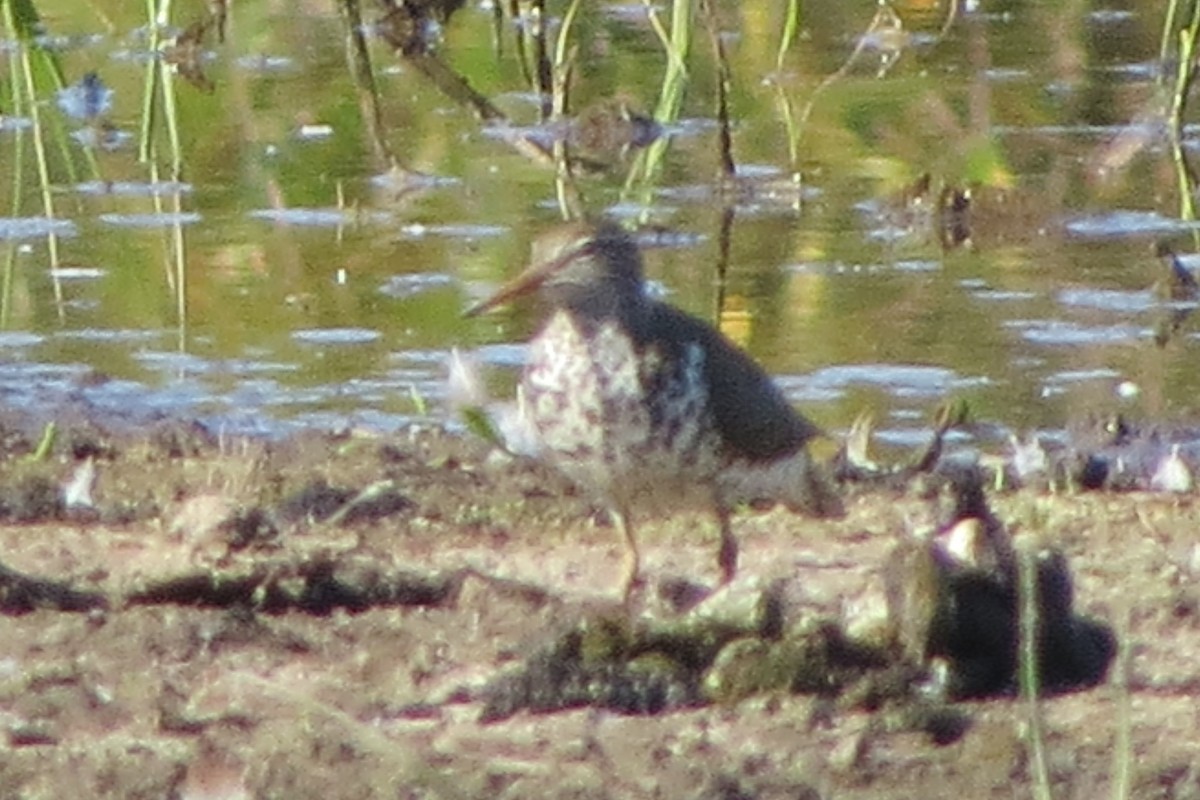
(647,407)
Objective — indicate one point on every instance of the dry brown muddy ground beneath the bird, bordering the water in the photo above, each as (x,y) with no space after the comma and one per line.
(207,631)
